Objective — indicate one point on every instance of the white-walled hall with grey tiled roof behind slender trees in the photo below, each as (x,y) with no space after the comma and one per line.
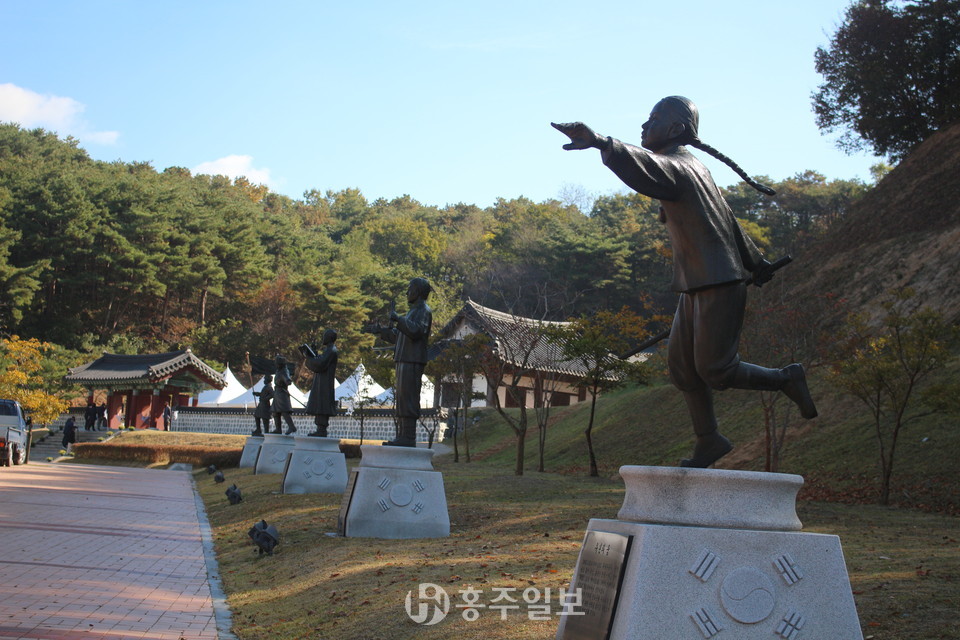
(518,343)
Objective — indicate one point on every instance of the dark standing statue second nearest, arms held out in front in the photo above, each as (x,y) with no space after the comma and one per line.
(410,334)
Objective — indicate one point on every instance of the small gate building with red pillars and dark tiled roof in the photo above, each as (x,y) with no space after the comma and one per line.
(144,384)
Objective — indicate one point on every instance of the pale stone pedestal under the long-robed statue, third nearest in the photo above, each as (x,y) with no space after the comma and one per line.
(316,465)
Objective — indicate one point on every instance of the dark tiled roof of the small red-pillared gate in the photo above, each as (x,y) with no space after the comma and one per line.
(149,367)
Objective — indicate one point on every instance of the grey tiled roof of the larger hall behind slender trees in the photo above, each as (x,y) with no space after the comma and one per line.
(518,340)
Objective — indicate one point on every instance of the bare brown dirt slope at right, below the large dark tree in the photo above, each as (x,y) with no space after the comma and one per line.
(905,232)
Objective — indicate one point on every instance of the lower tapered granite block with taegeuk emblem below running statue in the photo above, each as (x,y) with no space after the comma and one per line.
(697,583)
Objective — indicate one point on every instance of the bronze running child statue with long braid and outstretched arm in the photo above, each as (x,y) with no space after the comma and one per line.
(713,259)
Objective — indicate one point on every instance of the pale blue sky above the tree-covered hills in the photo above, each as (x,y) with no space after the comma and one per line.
(445,101)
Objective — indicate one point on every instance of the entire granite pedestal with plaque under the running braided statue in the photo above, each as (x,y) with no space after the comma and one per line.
(700,554)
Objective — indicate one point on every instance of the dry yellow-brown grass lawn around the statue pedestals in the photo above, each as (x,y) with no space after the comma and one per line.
(516,533)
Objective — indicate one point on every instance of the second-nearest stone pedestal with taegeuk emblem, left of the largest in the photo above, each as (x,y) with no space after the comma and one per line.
(394,493)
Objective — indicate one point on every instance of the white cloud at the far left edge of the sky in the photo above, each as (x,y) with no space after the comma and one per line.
(56,113)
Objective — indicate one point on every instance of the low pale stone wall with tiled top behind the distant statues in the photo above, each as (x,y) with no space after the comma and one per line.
(378,424)
